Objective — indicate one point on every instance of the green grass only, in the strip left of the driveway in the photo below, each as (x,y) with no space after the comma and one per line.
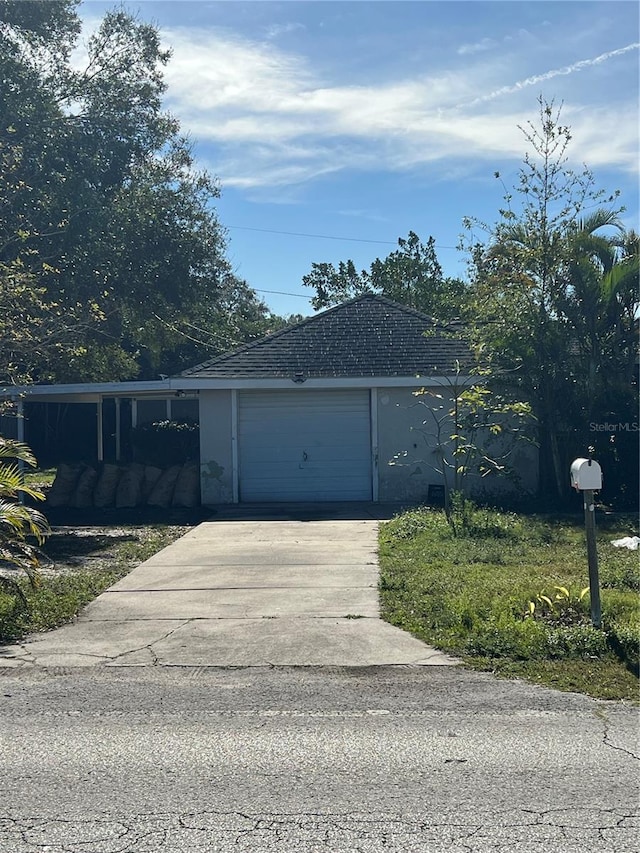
(58,598)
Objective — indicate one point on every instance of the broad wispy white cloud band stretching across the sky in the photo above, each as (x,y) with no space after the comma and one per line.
(277,122)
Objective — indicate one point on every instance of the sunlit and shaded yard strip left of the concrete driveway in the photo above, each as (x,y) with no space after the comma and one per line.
(78,564)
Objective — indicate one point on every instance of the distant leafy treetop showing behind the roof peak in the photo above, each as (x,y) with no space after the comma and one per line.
(411,276)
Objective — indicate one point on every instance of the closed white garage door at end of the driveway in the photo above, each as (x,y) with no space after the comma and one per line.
(304,446)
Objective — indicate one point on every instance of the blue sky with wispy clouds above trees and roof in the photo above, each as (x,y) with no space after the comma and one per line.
(364,120)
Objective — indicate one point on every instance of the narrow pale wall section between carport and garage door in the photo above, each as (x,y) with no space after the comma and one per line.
(216,454)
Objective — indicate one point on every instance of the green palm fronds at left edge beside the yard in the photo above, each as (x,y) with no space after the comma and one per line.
(18,521)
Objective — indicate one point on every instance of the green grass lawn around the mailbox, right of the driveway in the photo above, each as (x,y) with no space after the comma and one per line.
(483,596)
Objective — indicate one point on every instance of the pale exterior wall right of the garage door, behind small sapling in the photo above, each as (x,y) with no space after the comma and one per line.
(407,461)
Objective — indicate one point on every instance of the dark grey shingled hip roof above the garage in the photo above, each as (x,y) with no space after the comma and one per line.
(367,336)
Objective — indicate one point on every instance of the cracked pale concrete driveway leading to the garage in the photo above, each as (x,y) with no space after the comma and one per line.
(280,592)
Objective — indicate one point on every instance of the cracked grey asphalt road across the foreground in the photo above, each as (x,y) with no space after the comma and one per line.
(302,760)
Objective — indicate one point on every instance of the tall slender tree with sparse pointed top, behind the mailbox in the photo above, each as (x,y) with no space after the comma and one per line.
(532,281)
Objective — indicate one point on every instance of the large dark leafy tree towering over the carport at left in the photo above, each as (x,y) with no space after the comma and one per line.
(102,211)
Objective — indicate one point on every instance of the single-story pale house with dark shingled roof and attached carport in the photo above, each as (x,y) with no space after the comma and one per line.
(324,410)
